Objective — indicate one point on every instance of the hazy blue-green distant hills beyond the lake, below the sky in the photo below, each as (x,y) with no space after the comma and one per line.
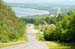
(52,8)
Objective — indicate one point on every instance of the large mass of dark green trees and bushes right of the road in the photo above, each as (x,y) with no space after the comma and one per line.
(64,30)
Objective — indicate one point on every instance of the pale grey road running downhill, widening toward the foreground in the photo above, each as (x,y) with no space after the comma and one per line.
(32,43)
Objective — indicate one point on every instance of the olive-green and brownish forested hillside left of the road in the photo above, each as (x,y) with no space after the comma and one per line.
(11,27)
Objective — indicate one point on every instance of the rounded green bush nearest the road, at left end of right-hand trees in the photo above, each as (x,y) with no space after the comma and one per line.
(50,34)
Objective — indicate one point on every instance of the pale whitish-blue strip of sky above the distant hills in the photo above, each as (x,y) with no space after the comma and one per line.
(42,1)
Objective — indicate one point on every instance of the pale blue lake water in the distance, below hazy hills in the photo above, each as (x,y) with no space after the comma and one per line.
(28,11)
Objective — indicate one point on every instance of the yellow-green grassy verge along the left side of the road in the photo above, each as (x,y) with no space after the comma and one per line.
(21,40)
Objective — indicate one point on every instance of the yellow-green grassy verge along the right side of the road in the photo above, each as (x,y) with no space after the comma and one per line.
(55,44)
